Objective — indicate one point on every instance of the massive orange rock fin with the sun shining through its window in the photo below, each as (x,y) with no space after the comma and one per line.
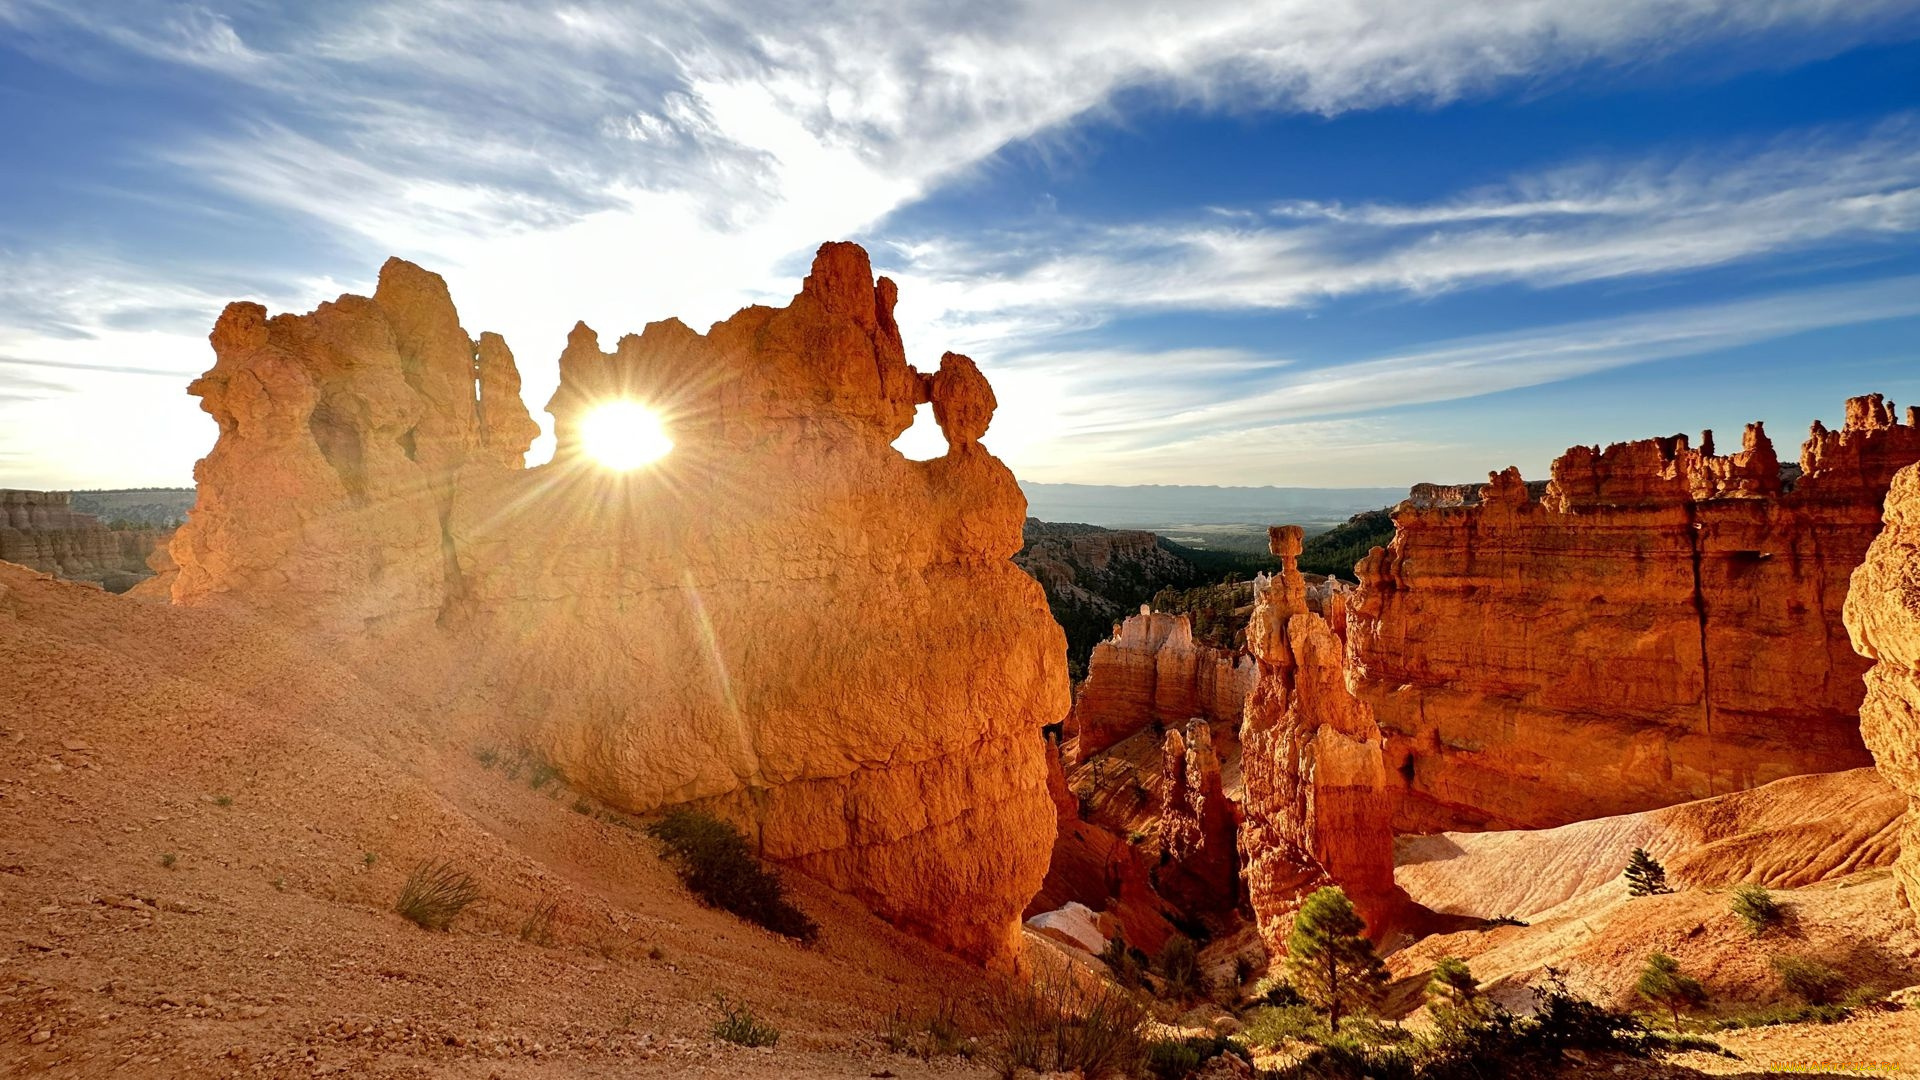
(784,620)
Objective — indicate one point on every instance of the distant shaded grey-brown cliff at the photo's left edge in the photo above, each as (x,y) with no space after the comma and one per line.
(45,533)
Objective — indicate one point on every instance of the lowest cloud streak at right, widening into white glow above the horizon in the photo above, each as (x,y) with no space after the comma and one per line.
(1247,430)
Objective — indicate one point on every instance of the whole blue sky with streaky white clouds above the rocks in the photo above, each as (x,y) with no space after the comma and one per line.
(1301,243)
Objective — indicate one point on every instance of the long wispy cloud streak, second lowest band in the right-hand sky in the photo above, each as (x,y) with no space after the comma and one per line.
(1591,222)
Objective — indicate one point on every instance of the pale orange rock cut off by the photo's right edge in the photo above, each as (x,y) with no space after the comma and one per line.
(1884,622)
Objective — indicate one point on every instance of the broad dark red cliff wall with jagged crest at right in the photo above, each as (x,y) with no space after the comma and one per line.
(1660,626)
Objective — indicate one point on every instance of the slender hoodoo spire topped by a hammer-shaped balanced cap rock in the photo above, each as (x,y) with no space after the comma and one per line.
(1318,806)
